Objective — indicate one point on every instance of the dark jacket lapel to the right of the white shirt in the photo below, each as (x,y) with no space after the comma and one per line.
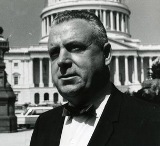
(104,129)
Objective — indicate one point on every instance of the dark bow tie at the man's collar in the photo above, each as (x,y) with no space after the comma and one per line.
(73,111)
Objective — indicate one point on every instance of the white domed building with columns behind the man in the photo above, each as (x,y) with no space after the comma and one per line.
(29,69)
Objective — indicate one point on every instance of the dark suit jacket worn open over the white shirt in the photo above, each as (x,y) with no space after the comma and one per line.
(125,121)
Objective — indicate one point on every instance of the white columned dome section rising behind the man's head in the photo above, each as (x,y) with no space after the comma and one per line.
(114,15)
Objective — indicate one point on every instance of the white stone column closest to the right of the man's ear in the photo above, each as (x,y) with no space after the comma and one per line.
(116,75)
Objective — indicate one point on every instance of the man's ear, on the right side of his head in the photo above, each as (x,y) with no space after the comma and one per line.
(107,53)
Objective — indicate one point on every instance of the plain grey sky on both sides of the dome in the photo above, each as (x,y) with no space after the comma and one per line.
(21,21)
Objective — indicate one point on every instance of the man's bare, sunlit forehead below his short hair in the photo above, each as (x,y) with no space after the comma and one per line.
(77,28)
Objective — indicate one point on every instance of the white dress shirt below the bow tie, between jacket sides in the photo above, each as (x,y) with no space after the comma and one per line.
(78,130)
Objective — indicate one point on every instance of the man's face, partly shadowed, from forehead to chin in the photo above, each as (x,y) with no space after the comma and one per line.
(78,63)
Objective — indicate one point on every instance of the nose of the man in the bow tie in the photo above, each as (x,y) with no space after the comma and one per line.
(64,59)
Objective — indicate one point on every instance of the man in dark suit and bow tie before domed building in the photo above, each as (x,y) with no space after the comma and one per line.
(97,114)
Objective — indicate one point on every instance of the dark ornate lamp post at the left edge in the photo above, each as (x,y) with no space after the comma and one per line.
(8,120)
